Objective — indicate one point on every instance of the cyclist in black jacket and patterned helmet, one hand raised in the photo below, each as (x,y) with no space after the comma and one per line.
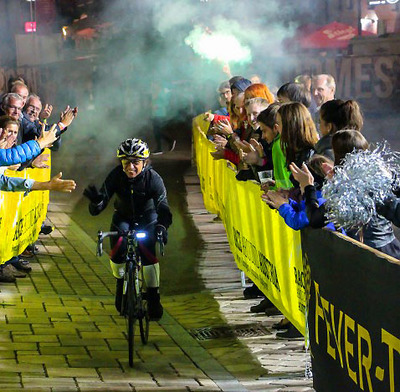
(141,203)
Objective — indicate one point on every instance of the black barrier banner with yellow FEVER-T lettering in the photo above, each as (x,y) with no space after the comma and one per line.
(354,315)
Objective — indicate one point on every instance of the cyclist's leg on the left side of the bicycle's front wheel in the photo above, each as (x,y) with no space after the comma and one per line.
(118,249)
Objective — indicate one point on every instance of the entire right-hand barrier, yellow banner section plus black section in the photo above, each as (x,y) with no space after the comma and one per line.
(353,291)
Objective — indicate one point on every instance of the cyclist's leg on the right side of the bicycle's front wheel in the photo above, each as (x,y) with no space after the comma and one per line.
(151,274)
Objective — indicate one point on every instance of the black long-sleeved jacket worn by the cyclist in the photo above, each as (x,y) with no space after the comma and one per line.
(142,199)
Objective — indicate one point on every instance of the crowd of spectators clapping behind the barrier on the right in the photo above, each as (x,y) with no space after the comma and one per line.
(291,143)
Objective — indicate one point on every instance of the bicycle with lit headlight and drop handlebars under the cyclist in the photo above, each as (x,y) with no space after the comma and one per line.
(134,304)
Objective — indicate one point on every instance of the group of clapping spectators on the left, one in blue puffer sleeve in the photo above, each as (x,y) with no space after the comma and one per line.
(25,131)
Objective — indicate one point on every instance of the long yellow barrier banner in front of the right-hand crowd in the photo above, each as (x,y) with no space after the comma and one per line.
(264,247)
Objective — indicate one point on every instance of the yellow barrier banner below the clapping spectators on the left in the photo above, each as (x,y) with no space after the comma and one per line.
(21,216)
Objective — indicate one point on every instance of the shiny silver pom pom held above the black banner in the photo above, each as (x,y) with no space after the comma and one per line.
(365,179)
